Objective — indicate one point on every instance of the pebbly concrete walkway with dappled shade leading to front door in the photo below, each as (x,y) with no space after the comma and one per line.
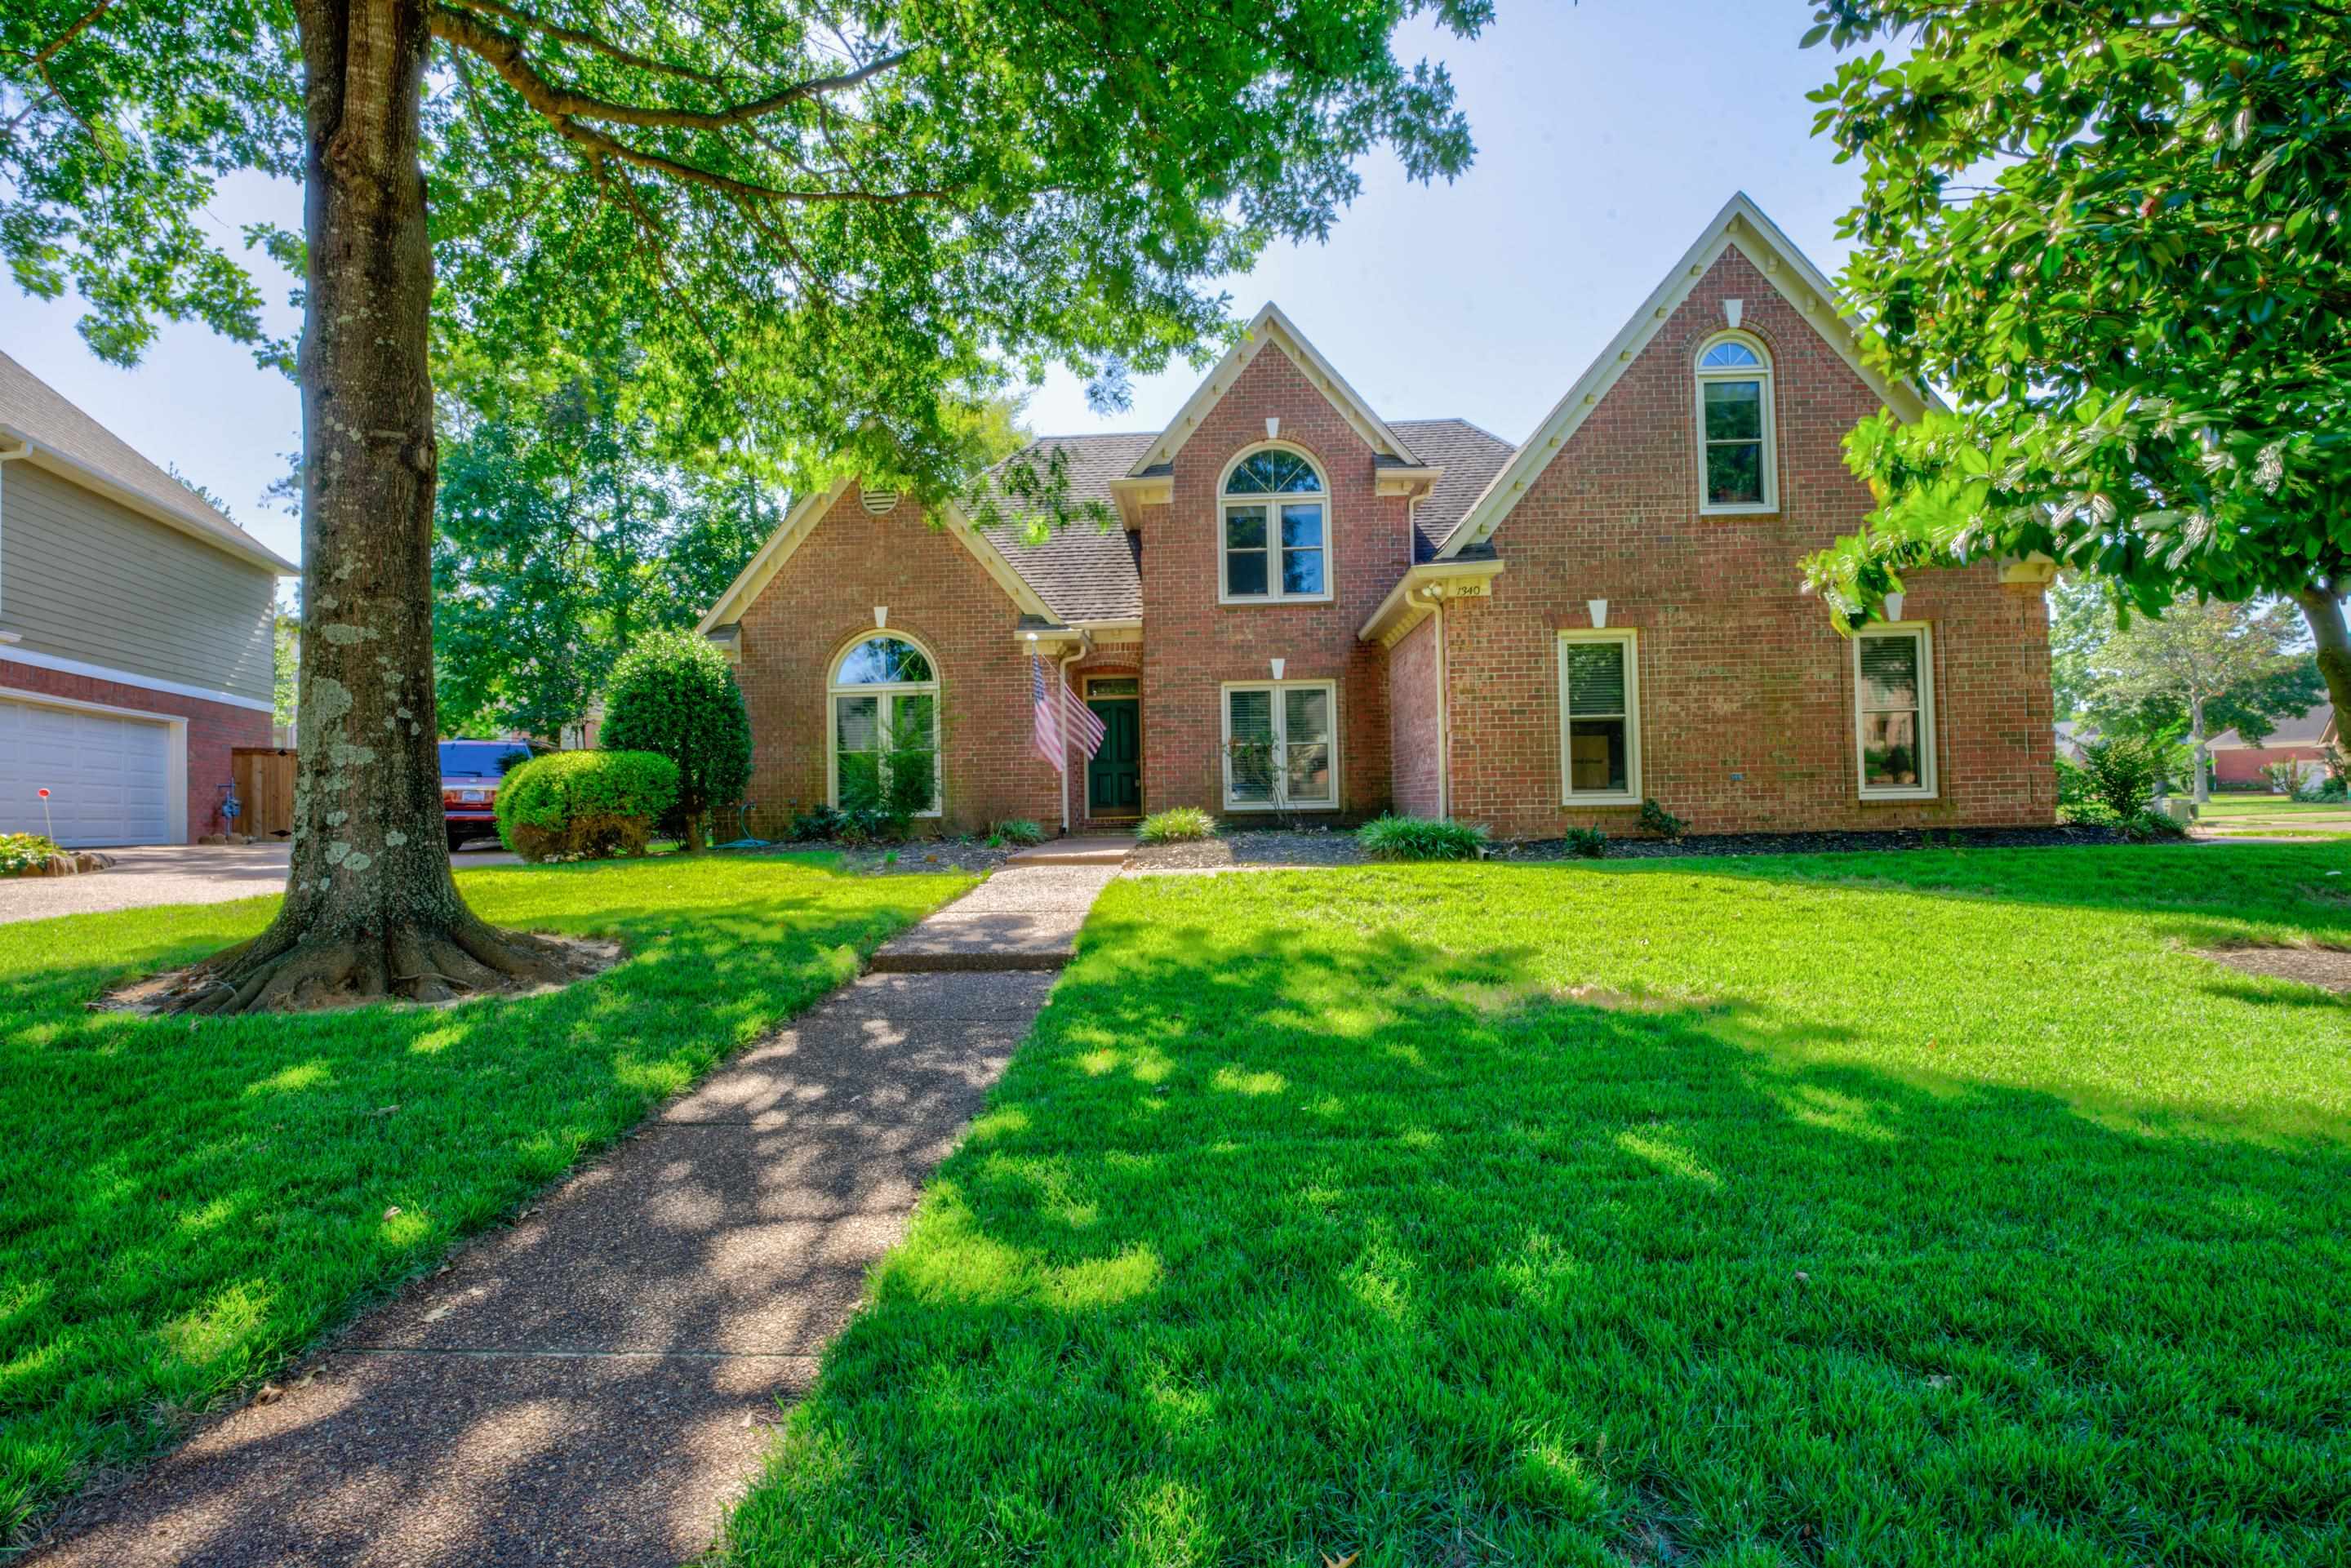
(596,1386)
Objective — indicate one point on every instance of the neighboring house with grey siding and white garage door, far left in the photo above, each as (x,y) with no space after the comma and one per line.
(135,634)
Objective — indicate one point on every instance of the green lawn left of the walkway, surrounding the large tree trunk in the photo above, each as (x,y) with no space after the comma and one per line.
(187,1207)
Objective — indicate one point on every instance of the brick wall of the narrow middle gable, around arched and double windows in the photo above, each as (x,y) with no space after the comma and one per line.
(1195,645)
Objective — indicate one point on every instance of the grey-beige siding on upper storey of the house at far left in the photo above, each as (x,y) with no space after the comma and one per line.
(83,577)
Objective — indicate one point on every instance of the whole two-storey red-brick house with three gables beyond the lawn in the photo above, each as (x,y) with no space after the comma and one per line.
(1313,610)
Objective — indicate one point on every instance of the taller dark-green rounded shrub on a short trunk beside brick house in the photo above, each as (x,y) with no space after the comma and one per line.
(674,695)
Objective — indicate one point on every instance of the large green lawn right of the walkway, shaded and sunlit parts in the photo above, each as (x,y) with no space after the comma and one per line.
(1849,1209)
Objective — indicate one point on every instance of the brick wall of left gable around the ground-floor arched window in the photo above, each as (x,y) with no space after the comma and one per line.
(937,596)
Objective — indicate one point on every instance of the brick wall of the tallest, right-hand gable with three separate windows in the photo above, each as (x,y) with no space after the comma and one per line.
(1746,690)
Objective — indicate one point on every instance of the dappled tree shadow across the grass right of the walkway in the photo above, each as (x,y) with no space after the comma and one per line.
(1280,1247)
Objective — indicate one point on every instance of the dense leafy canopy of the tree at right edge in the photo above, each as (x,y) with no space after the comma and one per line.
(2117,236)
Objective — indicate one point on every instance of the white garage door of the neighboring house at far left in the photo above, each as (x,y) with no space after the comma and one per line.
(107,777)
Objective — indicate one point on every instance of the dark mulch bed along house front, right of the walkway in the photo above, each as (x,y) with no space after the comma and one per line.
(1339,847)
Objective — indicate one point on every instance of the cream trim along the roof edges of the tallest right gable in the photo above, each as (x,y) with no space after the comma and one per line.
(1741,227)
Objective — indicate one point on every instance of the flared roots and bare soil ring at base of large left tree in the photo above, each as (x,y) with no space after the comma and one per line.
(342,970)
